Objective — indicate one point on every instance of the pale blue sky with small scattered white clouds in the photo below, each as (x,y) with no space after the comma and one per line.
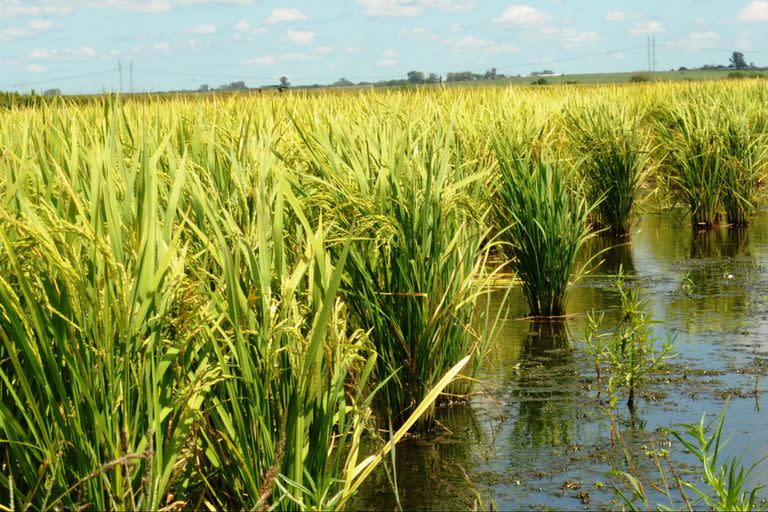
(81,46)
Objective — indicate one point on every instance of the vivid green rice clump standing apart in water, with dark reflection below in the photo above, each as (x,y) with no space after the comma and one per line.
(544,216)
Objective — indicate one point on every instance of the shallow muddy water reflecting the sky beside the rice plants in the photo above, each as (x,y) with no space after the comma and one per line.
(538,437)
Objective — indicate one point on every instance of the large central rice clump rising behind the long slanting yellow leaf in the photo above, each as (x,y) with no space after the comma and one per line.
(418,263)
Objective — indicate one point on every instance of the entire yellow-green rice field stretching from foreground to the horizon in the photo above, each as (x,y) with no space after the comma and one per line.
(248,301)
